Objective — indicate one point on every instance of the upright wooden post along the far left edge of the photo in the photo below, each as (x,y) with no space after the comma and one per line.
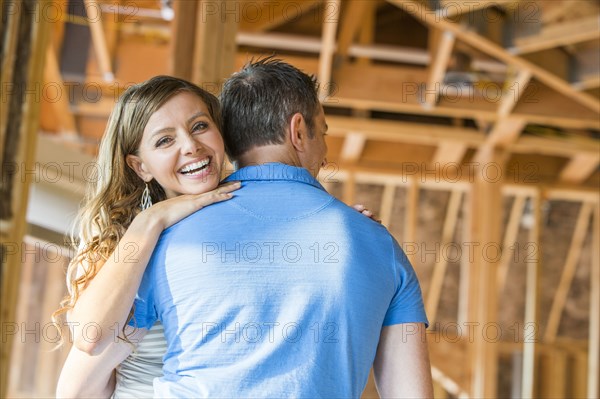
(33,33)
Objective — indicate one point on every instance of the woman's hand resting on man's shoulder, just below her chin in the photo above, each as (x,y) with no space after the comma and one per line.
(168,212)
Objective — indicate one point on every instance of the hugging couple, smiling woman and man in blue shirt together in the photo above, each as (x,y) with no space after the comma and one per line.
(276,289)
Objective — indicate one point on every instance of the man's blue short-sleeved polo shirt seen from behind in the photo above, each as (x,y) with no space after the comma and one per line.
(280,292)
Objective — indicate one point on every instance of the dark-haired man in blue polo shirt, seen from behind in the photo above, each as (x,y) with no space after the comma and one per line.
(282,291)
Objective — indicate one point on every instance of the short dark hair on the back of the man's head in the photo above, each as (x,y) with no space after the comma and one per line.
(259,101)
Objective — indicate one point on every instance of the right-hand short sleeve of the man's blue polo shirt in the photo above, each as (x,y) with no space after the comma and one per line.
(407,304)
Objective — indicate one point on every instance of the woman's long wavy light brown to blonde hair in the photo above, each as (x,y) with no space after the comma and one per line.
(113,200)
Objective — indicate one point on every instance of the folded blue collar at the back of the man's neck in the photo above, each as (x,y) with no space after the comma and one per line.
(273,172)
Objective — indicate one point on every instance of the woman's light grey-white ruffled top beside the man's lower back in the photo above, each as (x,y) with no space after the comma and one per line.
(136,374)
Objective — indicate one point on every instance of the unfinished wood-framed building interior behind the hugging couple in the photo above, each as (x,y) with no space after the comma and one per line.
(470,127)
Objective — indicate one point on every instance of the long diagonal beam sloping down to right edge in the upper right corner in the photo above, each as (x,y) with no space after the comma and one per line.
(492,49)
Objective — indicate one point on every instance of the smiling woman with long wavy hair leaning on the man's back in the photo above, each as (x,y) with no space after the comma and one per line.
(162,146)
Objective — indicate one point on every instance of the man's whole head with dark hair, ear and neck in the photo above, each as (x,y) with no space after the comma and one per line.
(270,103)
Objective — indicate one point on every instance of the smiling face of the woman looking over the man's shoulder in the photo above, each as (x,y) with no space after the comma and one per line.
(181,147)
